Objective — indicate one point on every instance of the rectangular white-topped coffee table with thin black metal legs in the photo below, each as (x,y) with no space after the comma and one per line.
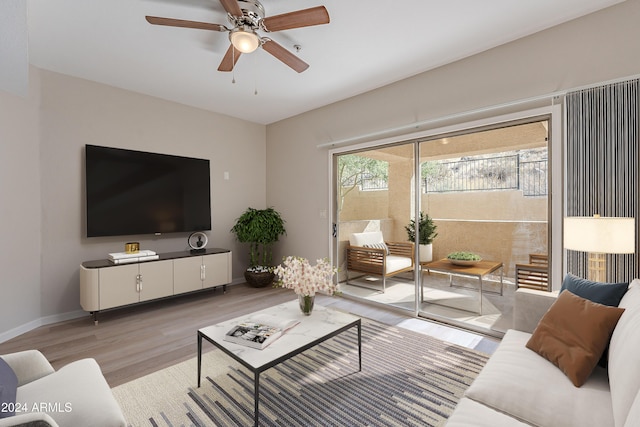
(323,324)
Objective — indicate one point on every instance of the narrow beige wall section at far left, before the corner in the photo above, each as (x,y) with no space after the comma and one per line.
(20,209)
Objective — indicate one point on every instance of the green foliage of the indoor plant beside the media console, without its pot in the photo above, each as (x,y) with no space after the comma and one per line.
(261,228)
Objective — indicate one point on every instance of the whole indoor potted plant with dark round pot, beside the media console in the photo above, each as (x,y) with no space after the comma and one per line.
(261,228)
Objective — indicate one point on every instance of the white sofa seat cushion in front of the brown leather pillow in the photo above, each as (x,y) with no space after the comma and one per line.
(518,381)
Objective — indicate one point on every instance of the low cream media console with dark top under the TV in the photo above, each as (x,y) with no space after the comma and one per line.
(105,285)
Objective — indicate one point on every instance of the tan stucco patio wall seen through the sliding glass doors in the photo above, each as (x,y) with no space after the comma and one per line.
(498,225)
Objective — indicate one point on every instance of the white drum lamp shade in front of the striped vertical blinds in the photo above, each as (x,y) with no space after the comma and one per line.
(607,235)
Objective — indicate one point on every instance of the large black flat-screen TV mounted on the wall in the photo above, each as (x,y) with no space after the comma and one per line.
(134,192)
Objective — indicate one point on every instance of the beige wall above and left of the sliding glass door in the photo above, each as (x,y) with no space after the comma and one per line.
(589,50)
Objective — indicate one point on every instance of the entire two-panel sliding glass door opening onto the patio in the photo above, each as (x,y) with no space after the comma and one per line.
(482,191)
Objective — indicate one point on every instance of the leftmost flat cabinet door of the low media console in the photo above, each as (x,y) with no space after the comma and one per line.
(118,286)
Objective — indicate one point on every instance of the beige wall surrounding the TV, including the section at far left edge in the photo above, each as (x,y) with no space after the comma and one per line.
(43,187)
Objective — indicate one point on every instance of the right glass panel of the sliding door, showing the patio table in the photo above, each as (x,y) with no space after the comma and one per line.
(487,193)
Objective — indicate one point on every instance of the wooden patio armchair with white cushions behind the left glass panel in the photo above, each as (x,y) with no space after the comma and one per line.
(369,254)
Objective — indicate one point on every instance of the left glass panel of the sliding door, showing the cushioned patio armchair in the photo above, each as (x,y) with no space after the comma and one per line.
(373,191)
